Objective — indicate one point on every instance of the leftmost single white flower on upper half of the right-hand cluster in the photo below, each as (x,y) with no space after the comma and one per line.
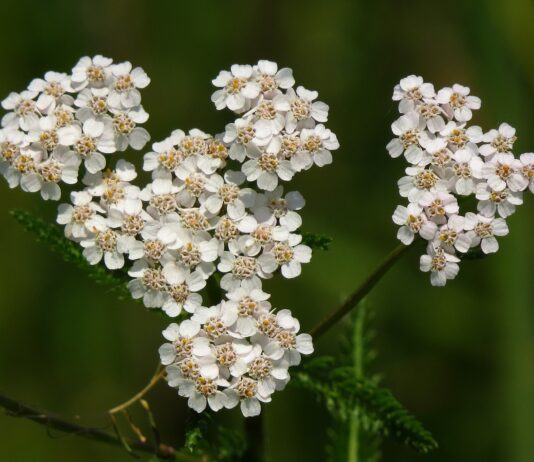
(408,129)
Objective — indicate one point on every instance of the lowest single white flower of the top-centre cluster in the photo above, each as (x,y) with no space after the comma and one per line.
(266,168)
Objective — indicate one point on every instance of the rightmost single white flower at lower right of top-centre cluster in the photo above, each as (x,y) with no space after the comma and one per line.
(315,148)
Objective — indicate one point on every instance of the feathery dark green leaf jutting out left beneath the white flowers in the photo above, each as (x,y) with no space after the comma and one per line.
(52,235)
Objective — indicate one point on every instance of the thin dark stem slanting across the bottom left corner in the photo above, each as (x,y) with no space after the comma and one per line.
(17,409)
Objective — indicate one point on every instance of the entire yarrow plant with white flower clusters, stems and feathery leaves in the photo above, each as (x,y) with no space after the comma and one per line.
(217,219)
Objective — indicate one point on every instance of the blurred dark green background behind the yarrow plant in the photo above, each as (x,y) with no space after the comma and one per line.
(461,358)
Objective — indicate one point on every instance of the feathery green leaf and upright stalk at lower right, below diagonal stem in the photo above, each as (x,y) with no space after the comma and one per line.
(362,411)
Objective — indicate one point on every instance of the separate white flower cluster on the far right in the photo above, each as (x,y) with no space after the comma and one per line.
(450,161)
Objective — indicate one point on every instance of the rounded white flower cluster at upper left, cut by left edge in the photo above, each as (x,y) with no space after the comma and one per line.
(62,120)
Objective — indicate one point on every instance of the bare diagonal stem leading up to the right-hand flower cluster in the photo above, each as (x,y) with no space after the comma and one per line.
(351,302)
